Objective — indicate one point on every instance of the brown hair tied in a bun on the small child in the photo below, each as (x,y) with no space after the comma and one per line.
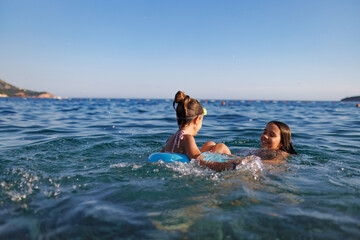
(186,108)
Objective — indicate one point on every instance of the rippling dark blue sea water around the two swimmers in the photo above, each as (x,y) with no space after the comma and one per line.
(76,169)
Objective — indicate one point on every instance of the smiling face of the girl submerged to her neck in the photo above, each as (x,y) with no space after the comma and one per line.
(271,138)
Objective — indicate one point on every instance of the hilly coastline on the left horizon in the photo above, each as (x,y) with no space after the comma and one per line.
(8,90)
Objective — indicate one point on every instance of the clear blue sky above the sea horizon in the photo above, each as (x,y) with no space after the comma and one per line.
(255,49)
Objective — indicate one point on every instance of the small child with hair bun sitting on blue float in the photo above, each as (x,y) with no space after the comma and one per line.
(189,115)
